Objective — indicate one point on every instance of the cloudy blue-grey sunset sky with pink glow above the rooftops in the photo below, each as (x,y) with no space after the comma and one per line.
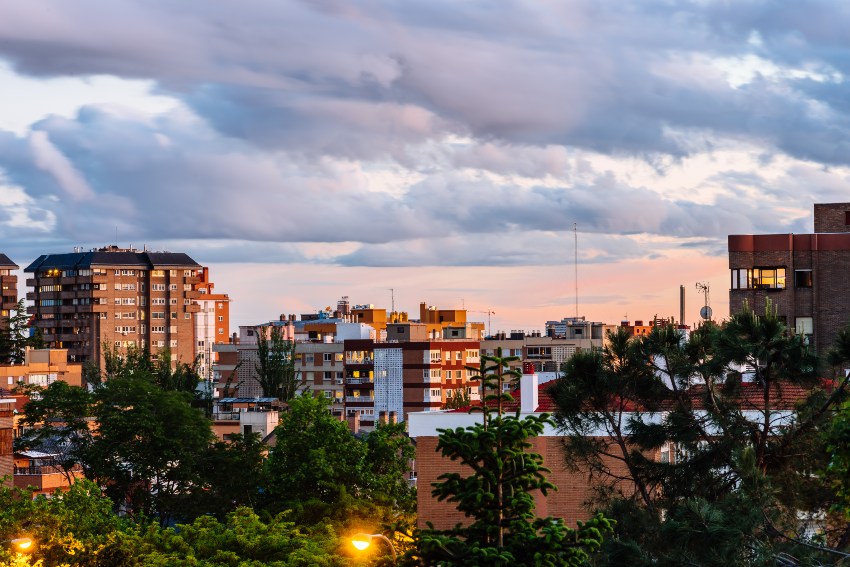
(535,159)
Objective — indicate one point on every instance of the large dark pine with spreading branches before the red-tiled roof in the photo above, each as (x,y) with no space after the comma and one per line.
(740,456)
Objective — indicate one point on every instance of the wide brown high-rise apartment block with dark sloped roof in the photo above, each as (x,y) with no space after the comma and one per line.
(115,298)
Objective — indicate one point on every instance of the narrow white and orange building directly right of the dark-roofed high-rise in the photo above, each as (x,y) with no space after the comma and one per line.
(212,324)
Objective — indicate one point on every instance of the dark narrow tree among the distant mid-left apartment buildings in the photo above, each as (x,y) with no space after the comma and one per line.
(275,370)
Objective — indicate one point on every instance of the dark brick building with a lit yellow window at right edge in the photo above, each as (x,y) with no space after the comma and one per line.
(803,276)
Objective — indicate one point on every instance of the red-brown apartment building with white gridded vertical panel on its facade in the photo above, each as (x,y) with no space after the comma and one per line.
(409,372)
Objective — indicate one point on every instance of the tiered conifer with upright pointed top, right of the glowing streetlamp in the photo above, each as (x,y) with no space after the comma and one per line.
(497,494)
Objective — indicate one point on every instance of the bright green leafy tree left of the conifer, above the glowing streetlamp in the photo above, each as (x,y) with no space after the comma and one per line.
(319,470)
